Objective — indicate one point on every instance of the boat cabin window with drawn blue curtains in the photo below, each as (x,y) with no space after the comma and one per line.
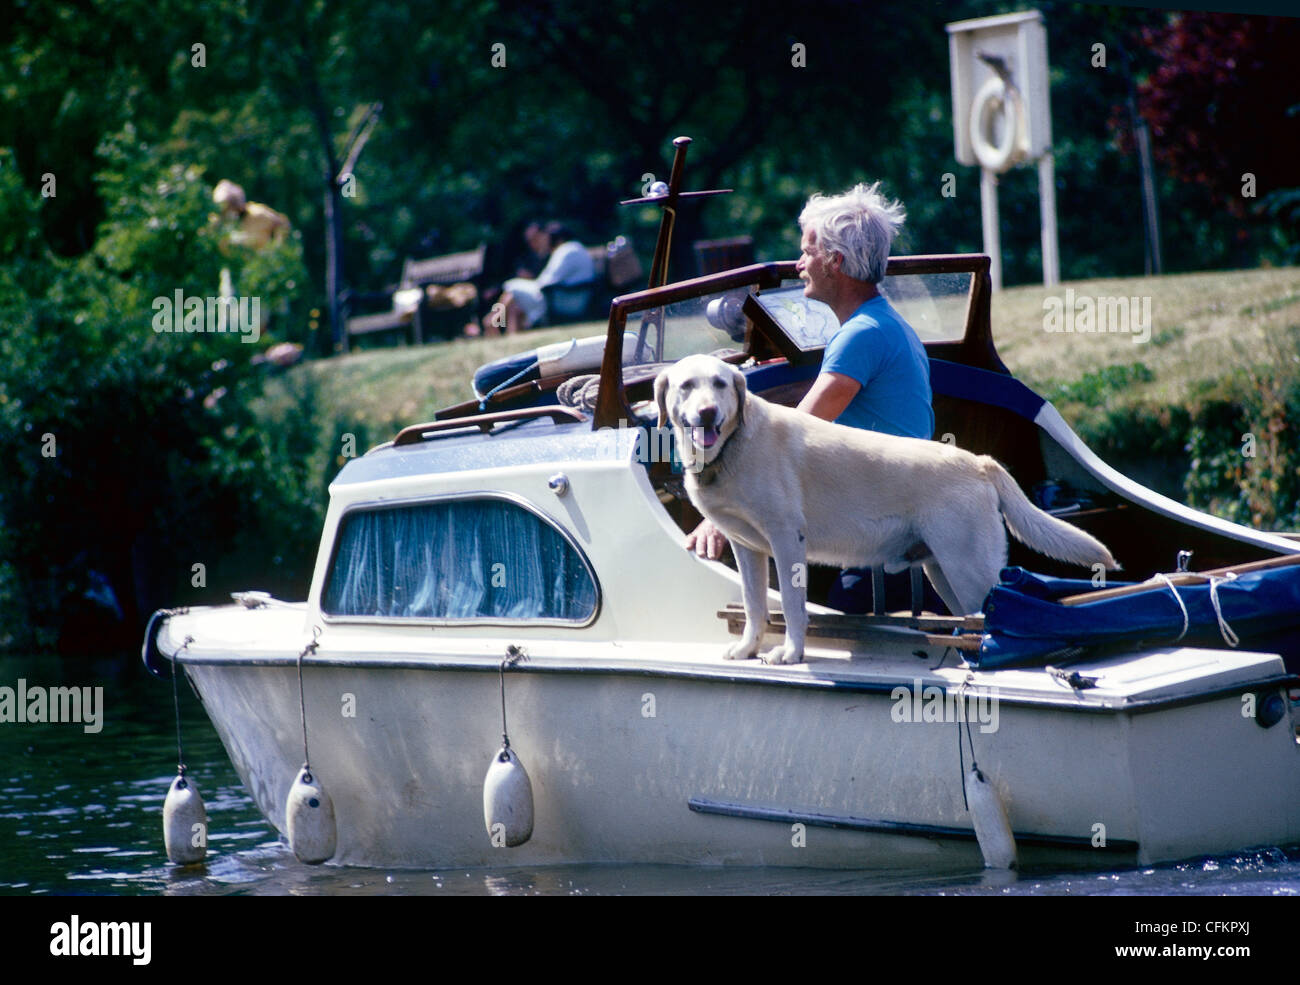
(458,559)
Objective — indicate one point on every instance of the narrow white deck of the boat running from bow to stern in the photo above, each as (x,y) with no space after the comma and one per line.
(846,653)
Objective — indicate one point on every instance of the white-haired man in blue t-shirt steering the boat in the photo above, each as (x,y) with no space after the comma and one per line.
(876,374)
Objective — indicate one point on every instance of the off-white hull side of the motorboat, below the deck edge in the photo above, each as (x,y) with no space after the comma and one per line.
(714,767)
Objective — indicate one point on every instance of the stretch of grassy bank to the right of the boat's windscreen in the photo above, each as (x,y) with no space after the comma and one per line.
(1201,411)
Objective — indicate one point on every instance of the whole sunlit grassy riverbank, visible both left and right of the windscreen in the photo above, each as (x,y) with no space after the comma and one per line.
(1223,361)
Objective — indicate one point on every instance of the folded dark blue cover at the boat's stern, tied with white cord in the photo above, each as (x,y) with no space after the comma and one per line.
(1025,624)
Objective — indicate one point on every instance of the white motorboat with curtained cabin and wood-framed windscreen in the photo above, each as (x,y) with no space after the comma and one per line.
(527,553)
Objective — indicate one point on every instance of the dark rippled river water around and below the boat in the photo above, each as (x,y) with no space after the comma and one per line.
(81,814)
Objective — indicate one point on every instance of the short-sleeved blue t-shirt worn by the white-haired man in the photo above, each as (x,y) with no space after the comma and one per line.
(879,350)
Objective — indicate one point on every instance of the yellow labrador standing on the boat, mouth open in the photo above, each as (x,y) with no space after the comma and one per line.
(785,484)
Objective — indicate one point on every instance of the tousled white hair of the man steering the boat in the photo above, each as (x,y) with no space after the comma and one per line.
(860,225)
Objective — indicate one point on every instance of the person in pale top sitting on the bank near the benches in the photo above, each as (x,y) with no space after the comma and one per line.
(569,272)
